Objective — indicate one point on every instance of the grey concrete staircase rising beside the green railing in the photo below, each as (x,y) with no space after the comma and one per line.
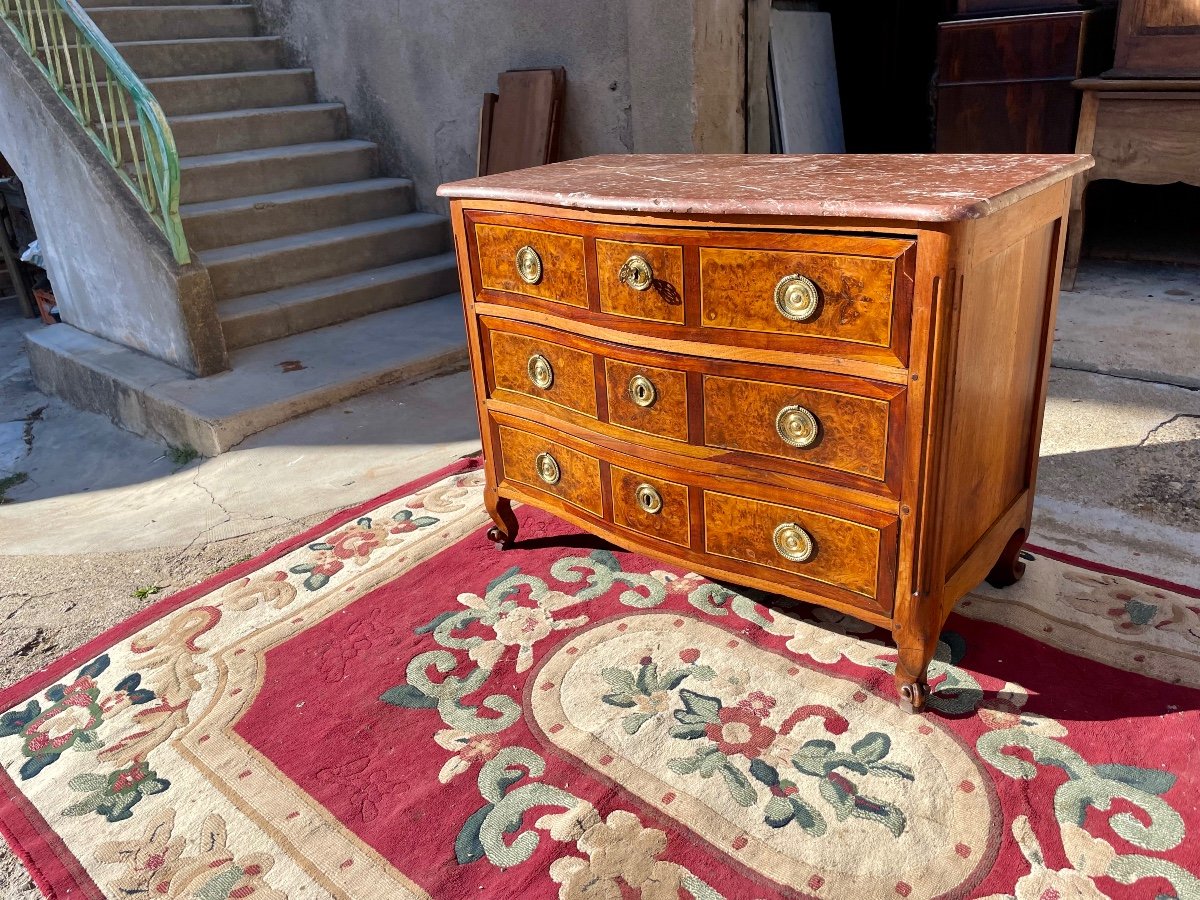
(304,242)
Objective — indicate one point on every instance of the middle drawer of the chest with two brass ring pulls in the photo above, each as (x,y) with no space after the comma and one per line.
(811,424)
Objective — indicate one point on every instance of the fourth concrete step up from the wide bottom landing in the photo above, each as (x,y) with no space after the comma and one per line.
(247,173)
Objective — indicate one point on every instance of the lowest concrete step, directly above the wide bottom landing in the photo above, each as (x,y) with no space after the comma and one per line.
(254,320)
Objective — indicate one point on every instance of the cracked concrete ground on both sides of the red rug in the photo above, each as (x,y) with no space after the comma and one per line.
(105,514)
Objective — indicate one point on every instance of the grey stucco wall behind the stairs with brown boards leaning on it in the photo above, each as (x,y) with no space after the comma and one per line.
(413,75)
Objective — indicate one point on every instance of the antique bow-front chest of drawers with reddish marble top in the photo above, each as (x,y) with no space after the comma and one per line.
(819,376)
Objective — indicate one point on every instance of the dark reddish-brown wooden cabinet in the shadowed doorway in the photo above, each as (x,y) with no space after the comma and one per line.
(1005,85)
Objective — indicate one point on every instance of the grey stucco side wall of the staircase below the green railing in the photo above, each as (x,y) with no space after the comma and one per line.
(112,269)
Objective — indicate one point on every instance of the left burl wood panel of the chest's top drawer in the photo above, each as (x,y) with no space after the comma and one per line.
(563,277)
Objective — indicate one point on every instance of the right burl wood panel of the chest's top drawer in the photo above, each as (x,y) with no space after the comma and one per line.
(739,292)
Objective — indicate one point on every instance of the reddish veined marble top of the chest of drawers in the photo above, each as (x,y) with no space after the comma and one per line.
(933,188)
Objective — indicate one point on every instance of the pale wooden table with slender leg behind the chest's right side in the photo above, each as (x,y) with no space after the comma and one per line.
(1145,131)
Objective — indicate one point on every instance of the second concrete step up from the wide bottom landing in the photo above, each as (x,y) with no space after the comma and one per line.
(281,262)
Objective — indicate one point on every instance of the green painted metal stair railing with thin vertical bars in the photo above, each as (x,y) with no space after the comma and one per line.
(100,89)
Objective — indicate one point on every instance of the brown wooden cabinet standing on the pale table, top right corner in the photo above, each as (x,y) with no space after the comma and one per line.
(1159,39)
